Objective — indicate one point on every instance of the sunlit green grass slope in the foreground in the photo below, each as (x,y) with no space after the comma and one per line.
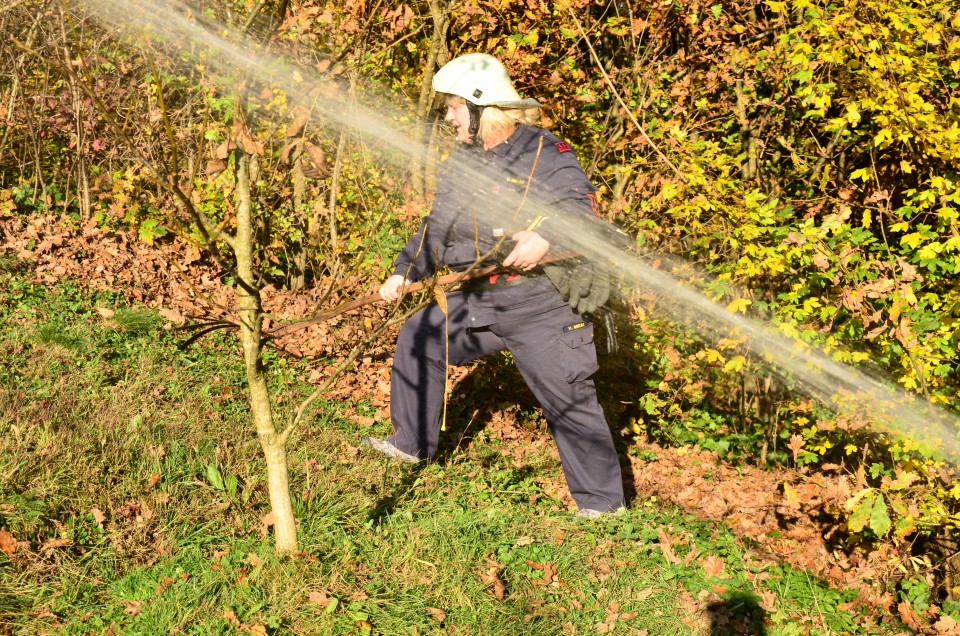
(130,472)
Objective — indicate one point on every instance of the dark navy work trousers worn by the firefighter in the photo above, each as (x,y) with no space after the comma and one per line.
(554,352)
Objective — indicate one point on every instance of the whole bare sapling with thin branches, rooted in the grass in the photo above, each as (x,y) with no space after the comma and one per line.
(235,242)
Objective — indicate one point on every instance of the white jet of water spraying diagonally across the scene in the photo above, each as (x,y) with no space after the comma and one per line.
(844,388)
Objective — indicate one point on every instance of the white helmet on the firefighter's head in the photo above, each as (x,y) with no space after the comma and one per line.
(480,79)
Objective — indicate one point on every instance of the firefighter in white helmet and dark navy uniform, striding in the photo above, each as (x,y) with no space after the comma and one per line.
(501,195)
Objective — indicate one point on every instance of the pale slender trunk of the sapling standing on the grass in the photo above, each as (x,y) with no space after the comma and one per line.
(251,337)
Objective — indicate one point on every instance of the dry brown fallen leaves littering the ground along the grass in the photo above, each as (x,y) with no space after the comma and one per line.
(779,509)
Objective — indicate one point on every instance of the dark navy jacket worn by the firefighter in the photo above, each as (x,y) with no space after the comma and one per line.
(482,199)
